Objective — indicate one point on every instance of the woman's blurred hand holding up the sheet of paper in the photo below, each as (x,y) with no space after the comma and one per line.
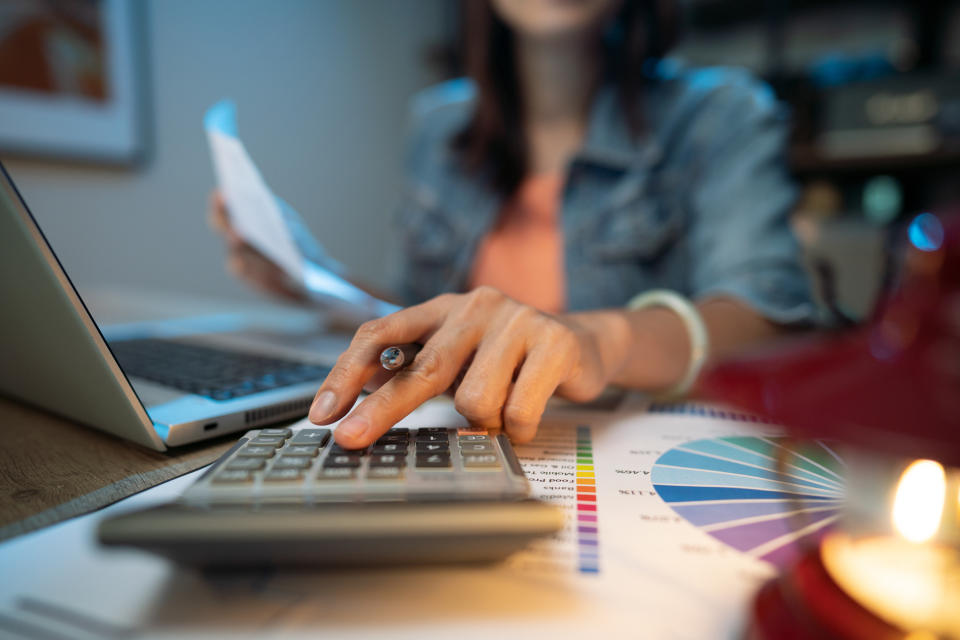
(245,262)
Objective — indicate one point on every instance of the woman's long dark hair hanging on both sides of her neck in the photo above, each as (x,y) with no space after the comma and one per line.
(493,141)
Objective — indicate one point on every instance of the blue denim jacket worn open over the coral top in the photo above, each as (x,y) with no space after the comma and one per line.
(697,204)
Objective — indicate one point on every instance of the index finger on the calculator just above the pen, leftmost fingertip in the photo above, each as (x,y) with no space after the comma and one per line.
(361,361)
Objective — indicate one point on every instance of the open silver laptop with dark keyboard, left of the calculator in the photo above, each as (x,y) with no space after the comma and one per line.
(157,385)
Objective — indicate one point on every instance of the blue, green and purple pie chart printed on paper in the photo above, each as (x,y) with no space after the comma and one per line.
(732,489)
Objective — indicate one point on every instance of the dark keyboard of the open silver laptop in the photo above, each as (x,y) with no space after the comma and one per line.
(220,374)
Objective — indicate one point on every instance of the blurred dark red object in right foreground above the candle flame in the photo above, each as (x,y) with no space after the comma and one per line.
(892,386)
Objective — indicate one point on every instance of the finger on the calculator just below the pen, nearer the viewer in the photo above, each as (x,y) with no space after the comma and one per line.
(429,375)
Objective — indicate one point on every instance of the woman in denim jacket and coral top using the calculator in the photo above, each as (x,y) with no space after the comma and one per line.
(574,171)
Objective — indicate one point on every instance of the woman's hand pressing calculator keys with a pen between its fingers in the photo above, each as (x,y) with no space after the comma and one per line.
(505,359)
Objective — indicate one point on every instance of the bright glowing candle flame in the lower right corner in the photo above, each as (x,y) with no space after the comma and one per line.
(918,505)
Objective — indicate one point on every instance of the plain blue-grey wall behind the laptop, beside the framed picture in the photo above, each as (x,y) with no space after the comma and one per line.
(321,89)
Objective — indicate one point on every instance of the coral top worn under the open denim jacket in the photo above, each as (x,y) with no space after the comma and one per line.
(523,254)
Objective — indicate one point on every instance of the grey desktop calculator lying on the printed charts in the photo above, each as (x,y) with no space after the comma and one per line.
(286,497)
